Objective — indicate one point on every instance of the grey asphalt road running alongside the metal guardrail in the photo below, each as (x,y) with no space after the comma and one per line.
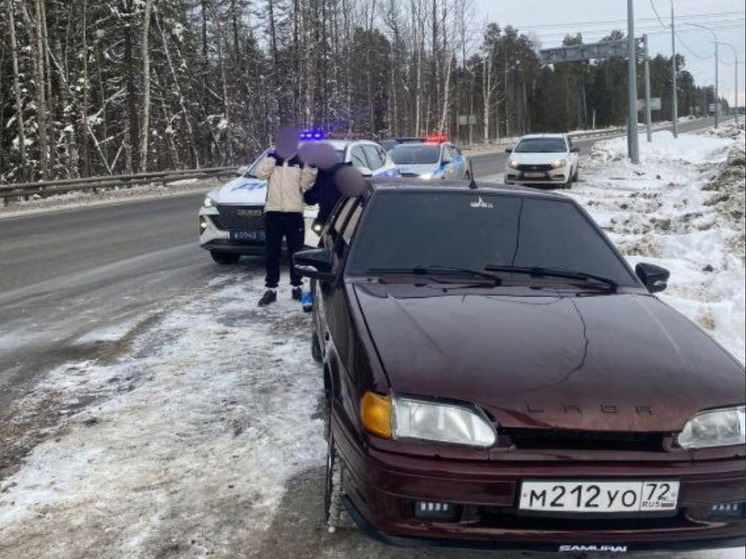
(68,272)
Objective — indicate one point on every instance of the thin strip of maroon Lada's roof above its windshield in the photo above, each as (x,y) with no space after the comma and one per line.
(411,184)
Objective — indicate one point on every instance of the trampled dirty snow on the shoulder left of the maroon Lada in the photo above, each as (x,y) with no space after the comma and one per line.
(181,447)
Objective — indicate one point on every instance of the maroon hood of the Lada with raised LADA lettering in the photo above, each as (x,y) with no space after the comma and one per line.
(540,359)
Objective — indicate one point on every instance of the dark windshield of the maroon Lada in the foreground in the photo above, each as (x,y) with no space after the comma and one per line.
(407,230)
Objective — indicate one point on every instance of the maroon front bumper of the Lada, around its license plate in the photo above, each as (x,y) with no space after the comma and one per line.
(382,489)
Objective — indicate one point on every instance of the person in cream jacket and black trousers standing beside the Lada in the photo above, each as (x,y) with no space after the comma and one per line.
(288,178)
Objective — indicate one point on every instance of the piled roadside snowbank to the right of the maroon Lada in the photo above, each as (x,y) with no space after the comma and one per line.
(682,208)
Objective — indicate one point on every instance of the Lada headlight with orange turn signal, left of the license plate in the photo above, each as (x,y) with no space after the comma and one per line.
(407,418)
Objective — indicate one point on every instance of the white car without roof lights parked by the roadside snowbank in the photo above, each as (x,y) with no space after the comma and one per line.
(540,159)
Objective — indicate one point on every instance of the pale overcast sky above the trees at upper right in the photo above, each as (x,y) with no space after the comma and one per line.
(550,20)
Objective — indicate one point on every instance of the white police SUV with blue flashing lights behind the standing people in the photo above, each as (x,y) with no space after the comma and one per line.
(231,219)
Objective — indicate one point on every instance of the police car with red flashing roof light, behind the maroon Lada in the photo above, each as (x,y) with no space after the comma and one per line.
(430,158)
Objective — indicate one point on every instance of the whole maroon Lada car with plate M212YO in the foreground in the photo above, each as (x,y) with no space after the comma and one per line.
(498,377)
